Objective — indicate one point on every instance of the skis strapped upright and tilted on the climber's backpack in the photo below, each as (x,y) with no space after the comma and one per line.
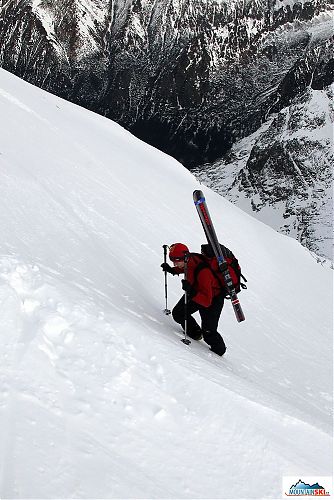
(212,239)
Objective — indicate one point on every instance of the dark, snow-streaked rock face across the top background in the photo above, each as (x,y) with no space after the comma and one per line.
(188,76)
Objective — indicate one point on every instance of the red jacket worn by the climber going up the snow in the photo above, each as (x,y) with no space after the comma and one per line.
(205,283)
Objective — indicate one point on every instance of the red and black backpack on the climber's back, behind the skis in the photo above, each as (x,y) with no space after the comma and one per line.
(209,260)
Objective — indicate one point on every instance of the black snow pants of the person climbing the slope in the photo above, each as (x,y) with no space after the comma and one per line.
(209,319)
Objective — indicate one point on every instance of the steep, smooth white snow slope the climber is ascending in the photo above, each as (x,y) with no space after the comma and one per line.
(98,397)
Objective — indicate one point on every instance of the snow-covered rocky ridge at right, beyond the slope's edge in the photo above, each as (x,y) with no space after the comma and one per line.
(283,173)
